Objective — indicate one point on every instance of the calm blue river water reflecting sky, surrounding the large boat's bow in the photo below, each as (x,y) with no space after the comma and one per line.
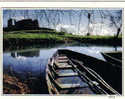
(34,61)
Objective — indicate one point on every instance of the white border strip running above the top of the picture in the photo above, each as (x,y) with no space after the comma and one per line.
(64,4)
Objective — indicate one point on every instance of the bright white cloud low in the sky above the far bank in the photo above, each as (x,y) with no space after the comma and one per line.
(95,29)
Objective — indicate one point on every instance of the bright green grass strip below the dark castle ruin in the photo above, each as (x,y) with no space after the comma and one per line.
(41,34)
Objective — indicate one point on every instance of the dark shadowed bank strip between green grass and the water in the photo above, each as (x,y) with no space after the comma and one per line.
(20,43)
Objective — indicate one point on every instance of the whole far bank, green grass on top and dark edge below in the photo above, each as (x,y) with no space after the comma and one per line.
(19,39)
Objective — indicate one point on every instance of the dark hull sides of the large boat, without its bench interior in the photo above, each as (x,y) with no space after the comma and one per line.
(111,74)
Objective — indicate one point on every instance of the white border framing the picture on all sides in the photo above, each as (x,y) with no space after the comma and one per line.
(58,5)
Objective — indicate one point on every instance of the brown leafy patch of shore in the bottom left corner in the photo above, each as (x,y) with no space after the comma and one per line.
(13,85)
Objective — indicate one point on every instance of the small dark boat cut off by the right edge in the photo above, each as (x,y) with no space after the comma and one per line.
(113,57)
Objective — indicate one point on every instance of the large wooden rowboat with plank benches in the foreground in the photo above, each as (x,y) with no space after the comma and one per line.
(70,72)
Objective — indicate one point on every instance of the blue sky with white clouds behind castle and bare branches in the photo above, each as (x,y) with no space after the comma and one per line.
(73,21)
